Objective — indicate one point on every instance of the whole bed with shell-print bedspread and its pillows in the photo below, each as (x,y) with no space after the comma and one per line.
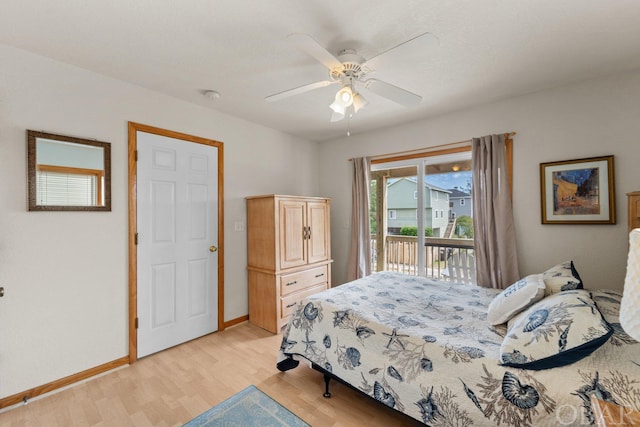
(427,349)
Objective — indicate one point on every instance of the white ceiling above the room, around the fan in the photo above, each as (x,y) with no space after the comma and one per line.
(488,50)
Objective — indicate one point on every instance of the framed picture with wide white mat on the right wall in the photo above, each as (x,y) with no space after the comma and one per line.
(578,191)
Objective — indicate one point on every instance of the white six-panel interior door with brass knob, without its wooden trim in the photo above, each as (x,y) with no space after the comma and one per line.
(177,237)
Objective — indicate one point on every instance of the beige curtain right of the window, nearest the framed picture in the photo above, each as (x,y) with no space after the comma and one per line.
(494,234)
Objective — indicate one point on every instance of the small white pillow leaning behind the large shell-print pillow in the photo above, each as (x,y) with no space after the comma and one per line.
(516,298)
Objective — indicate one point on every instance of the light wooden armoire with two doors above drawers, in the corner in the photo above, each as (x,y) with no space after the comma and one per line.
(289,255)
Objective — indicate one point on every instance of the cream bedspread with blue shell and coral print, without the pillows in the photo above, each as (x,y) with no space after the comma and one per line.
(424,348)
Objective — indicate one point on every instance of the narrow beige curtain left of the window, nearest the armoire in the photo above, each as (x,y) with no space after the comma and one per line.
(360,254)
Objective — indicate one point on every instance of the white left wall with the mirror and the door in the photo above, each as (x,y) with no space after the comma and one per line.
(65,274)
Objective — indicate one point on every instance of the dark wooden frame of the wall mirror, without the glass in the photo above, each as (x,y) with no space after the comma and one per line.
(32,137)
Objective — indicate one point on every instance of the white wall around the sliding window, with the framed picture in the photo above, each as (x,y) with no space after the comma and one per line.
(593,118)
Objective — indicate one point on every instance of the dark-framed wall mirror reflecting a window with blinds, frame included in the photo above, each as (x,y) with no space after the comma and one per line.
(68,173)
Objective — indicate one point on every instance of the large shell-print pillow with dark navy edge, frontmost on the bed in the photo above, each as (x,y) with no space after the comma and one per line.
(556,331)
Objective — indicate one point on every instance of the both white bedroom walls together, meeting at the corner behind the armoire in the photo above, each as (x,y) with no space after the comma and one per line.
(65,273)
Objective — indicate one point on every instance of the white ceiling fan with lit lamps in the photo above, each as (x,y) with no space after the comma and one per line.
(350,71)
